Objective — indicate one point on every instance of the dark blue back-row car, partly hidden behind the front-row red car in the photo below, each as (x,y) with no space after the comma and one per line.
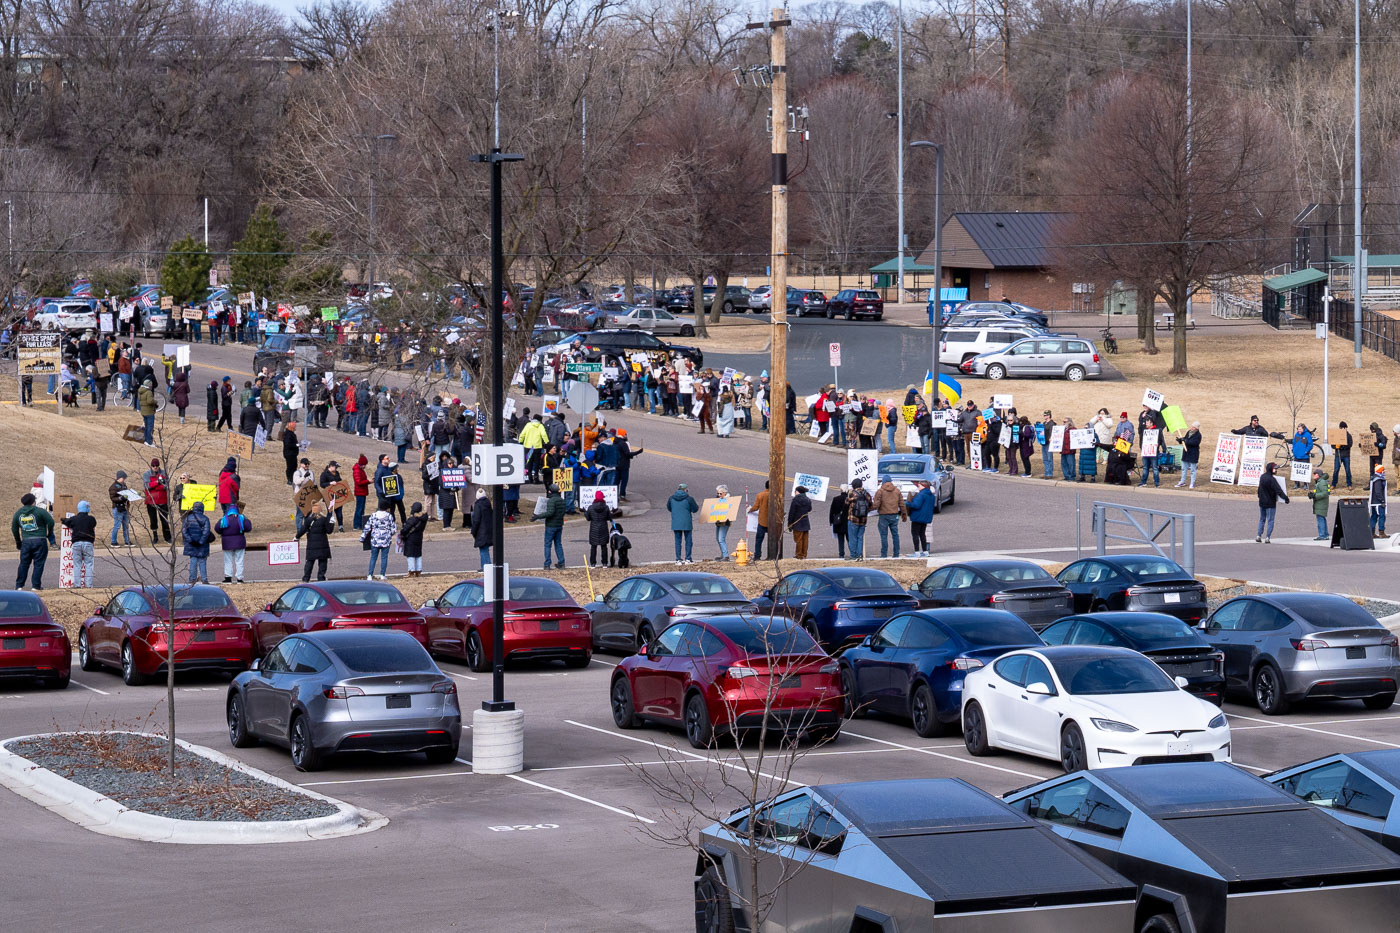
(836,606)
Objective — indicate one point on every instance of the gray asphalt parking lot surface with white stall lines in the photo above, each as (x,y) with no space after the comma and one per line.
(579,841)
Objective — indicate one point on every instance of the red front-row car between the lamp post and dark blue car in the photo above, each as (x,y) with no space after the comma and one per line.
(731,675)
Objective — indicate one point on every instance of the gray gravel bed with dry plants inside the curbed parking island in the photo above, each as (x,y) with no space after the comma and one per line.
(134,771)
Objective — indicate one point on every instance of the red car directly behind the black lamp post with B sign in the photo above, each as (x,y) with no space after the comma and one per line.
(542,623)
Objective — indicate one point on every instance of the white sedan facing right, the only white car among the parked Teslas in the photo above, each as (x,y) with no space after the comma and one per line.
(1088,707)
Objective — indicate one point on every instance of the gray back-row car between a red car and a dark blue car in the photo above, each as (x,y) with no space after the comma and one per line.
(632,613)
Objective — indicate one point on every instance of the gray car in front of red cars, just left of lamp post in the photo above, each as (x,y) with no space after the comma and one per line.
(366,691)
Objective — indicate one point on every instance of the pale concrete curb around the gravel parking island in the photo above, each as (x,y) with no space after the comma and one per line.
(101,815)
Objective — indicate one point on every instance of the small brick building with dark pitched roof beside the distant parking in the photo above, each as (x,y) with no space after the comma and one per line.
(1006,254)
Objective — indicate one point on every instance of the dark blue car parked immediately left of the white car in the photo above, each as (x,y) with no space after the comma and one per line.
(915,666)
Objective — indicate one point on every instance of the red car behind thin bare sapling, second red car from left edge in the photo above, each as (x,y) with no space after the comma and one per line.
(131,634)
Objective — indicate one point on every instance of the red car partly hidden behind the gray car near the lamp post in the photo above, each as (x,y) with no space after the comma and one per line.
(341,604)
